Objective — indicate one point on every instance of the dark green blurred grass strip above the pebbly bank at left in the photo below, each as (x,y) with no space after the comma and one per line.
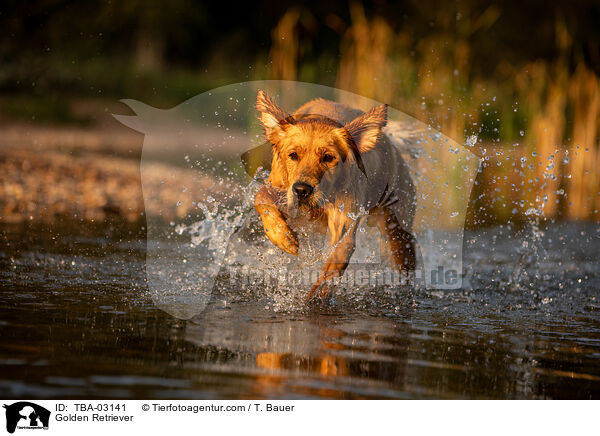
(47,93)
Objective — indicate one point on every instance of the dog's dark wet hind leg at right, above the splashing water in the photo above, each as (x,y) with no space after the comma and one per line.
(400,243)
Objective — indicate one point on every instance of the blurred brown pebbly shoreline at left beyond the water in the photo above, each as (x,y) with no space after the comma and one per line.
(55,172)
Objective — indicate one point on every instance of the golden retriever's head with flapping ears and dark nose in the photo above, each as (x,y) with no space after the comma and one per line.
(311,149)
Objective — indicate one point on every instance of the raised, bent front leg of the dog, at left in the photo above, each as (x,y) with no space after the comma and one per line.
(276,228)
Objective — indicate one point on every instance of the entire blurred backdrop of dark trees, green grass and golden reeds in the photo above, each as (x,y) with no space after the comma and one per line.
(521,76)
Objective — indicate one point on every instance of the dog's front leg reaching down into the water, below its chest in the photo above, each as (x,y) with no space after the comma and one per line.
(337,262)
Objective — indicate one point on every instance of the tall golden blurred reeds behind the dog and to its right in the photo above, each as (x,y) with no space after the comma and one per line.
(536,123)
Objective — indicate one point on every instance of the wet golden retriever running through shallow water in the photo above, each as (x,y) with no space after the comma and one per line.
(333,166)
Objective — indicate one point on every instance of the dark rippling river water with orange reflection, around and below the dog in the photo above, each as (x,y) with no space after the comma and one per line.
(77,321)
